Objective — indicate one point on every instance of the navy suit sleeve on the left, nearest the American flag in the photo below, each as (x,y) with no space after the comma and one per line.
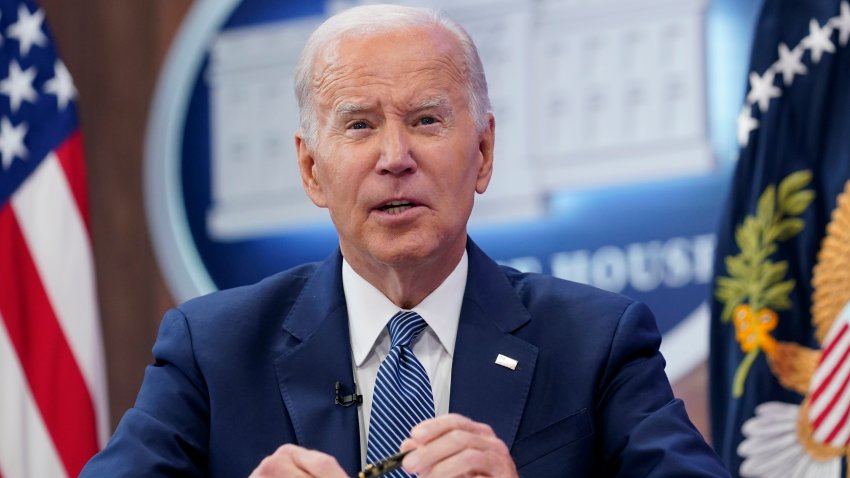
(166,432)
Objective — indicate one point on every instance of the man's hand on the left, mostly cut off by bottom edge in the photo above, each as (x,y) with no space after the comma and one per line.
(293,461)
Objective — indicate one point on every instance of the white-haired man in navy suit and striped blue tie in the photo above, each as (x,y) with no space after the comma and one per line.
(542,377)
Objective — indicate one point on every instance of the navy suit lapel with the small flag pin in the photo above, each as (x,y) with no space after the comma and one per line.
(491,311)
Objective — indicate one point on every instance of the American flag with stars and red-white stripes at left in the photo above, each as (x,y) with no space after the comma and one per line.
(53,403)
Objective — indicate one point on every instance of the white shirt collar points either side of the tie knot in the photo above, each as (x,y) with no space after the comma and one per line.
(369,310)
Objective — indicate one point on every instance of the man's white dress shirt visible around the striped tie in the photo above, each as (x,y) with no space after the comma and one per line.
(369,312)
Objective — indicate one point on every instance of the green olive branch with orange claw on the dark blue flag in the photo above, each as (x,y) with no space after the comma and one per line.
(756,287)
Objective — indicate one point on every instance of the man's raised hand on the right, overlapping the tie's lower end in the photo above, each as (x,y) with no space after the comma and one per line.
(455,446)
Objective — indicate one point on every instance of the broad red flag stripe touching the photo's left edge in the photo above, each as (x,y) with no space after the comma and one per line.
(54,378)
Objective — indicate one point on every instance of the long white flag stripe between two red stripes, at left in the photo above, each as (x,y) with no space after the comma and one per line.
(46,210)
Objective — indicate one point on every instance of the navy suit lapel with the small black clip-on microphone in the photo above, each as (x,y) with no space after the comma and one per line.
(316,354)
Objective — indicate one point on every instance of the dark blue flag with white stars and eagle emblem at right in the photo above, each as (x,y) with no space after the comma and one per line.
(780,344)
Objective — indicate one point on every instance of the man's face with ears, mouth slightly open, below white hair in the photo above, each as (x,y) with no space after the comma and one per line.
(398,157)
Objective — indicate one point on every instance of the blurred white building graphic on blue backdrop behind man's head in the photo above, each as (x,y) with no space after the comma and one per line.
(585,92)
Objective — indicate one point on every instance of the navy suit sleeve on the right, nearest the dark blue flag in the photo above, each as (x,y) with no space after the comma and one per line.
(646,431)
